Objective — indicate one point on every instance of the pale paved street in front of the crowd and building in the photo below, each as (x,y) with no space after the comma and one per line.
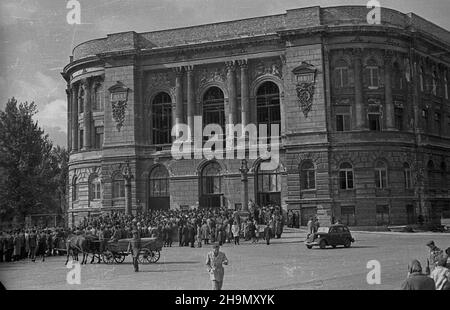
(285,264)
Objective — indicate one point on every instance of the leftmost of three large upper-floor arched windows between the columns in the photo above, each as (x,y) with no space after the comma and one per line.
(162,118)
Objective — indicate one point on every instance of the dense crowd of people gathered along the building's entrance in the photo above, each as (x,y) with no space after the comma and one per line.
(189,228)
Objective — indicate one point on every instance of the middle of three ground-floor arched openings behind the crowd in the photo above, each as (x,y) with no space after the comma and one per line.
(211,186)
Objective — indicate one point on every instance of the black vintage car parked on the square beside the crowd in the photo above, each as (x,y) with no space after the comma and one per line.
(333,235)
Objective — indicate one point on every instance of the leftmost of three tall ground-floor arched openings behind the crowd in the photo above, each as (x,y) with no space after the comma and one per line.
(159,195)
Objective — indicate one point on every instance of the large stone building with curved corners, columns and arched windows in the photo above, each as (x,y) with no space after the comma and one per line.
(363,109)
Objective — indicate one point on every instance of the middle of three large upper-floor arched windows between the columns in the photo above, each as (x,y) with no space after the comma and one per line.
(213,107)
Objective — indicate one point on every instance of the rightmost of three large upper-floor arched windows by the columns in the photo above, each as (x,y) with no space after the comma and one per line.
(268,106)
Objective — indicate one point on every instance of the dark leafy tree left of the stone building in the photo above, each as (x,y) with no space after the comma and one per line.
(31,168)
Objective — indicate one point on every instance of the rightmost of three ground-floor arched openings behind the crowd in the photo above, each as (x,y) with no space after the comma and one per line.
(268,186)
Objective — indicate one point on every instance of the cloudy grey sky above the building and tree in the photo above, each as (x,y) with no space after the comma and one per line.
(36,39)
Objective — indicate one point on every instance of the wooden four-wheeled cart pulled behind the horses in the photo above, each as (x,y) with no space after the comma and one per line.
(116,251)
